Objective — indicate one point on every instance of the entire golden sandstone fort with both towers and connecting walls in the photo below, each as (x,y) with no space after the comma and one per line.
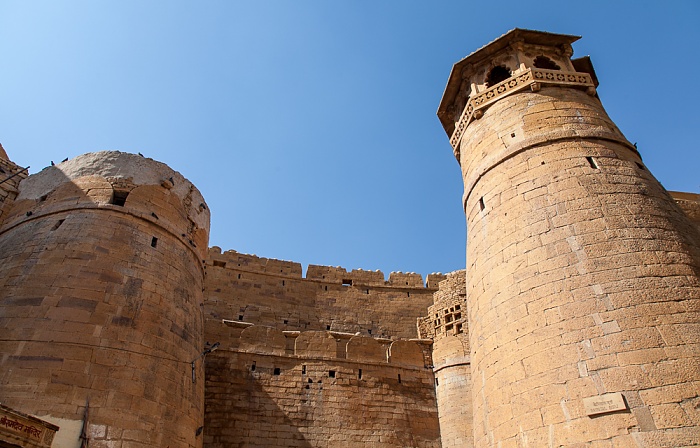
(575,323)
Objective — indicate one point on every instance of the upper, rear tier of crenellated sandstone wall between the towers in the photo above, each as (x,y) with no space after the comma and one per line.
(262,291)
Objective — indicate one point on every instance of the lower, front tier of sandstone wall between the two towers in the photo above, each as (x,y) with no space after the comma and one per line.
(319,389)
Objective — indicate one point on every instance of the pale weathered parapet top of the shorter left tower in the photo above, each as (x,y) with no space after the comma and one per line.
(122,182)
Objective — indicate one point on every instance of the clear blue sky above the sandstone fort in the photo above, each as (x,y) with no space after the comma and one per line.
(310,126)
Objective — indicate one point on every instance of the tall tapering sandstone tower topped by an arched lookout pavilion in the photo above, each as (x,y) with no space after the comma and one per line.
(582,272)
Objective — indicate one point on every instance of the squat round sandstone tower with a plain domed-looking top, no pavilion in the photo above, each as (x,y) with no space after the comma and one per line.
(100,291)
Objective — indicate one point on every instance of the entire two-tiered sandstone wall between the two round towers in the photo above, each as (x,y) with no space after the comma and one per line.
(329,359)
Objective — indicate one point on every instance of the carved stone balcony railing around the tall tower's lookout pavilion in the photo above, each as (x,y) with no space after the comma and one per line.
(532,78)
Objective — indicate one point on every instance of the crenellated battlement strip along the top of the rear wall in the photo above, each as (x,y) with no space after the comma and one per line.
(326,274)
